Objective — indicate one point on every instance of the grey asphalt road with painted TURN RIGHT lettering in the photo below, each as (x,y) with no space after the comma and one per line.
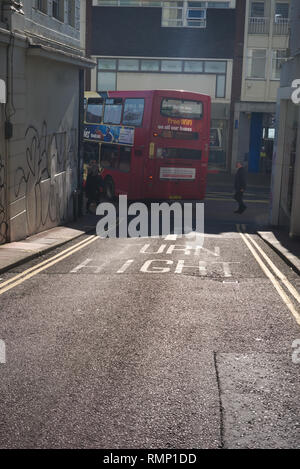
(152,343)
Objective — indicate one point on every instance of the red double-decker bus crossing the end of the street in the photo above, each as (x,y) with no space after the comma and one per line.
(149,144)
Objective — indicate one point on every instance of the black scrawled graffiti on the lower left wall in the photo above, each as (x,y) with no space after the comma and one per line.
(47,177)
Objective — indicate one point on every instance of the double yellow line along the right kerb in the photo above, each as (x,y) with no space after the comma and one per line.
(255,249)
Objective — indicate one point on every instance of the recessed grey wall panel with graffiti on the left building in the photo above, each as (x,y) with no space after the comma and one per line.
(43,150)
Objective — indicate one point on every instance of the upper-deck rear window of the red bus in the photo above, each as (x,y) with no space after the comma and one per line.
(181,108)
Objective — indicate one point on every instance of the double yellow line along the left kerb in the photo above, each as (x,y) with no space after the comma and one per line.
(36,269)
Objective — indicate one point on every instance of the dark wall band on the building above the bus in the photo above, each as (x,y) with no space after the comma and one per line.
(137,32)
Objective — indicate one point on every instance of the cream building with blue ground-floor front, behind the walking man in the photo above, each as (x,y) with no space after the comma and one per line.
(267,26)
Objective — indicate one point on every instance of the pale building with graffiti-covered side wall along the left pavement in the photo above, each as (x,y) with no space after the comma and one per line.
(42,57)
